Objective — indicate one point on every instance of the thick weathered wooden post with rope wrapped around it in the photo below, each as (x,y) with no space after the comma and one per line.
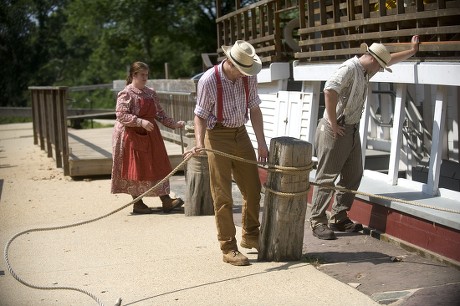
(285,203)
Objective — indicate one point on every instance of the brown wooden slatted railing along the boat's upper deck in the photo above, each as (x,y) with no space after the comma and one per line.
(320,30)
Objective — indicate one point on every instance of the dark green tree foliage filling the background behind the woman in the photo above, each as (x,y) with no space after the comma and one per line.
(84,42)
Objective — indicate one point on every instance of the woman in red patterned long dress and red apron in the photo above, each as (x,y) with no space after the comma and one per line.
(140,159)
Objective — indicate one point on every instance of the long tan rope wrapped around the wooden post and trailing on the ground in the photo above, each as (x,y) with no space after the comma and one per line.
(270,168)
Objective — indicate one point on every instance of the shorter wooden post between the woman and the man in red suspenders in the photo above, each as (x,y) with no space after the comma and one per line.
(198,195)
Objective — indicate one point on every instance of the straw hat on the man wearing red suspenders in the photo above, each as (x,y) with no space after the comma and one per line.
(243,55)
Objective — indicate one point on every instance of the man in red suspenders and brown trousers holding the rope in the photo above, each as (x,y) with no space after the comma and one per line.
(226,98)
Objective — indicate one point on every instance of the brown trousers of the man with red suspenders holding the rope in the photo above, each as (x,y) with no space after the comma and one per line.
(234,141)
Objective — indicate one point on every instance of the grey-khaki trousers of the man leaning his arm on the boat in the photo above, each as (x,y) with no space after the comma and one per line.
(336,156)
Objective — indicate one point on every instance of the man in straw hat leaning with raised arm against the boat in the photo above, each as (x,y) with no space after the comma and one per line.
(337,140)
